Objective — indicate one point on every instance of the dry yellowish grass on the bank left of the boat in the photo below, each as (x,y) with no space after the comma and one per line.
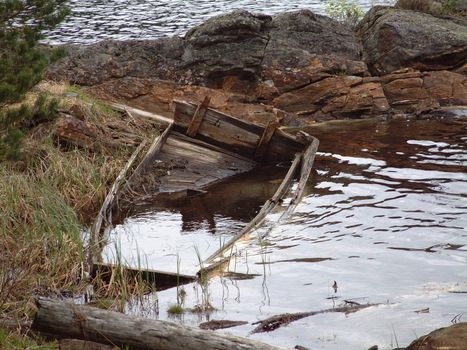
(51,196)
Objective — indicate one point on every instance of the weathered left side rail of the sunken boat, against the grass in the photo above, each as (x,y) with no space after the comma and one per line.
(94,249)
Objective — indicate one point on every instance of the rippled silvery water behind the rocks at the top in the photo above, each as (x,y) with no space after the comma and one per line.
(94,20)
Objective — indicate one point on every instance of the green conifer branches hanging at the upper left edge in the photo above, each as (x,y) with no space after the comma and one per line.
(22,62)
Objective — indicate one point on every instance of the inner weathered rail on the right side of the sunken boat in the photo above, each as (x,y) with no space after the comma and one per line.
(259,218)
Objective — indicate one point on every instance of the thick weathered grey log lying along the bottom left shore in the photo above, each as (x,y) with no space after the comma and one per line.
(59,319)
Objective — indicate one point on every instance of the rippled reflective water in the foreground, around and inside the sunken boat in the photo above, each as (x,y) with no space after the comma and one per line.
(385,217)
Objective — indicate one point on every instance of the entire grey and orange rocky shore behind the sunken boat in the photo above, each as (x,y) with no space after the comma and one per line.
(396,62)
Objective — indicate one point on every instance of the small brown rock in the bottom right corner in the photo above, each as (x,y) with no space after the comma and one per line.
(449,338)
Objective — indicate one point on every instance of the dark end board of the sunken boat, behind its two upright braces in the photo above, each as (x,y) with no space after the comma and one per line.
(234,134)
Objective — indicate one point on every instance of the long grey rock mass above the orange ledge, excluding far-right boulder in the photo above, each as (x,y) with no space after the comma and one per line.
(240,52)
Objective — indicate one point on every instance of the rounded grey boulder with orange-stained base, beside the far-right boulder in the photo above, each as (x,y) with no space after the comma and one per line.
(304,47)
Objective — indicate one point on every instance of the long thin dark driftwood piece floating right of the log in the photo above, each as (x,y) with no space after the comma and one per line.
(277,321)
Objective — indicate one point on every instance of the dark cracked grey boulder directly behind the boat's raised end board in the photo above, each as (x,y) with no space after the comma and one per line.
(226,46)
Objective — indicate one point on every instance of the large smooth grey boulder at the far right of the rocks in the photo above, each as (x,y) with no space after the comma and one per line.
(395,38)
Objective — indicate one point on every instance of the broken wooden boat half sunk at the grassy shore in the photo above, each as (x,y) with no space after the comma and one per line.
(199,147)
